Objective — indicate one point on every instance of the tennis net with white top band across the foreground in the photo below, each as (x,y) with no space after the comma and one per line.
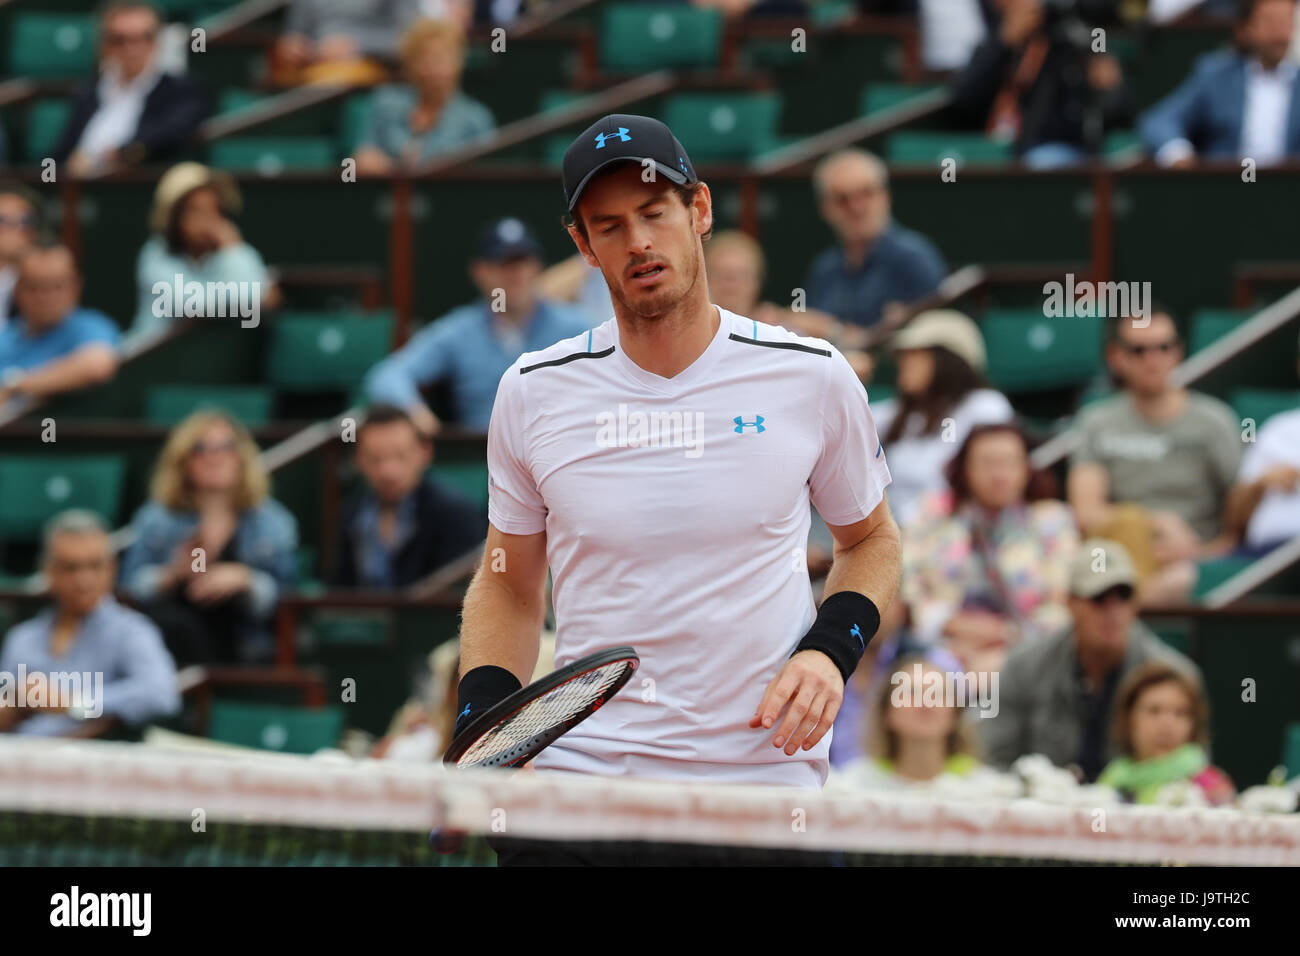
(131,804)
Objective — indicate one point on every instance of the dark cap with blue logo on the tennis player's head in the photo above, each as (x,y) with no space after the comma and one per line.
(623,137)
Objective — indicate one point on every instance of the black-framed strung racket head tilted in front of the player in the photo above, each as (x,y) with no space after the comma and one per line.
(531,720)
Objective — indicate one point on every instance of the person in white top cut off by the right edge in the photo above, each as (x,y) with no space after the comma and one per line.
(1264,505)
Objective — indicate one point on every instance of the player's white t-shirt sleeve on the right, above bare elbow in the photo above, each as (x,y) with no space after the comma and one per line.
(851,475)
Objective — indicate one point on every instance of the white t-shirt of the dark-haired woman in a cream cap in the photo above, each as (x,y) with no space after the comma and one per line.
(920,460)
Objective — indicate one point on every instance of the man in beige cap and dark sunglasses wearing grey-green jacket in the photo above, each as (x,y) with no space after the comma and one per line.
(1058,694)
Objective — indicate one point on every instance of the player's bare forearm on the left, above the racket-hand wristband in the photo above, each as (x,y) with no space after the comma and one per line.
(506,605)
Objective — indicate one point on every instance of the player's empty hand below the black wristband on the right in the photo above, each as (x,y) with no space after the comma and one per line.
(811,691)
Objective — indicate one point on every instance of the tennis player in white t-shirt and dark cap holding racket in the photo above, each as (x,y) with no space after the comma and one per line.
(662,465)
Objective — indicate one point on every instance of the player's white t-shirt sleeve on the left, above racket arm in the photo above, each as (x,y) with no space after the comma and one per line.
(514,503)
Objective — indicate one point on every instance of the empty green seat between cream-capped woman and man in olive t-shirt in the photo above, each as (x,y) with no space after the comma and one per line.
(1032,353)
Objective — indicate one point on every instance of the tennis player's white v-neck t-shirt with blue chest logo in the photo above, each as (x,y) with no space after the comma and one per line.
(677,517)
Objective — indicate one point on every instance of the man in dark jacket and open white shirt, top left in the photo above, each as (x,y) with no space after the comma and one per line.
(135,113)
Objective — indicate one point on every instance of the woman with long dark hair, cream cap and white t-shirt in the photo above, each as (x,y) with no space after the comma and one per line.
(942,397)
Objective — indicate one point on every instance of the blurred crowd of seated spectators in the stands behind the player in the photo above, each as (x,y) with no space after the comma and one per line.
(1007,570)
